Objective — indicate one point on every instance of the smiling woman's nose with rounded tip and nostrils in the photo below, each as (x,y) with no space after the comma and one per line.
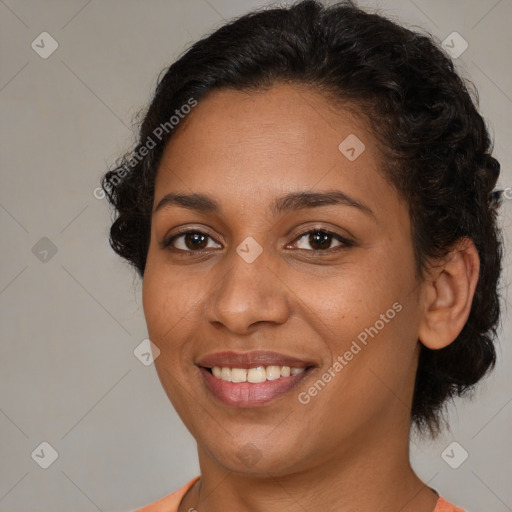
(248,294)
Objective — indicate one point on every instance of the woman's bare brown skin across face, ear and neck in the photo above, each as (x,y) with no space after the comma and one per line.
(347,449)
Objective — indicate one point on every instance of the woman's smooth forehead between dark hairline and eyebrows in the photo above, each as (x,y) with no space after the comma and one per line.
(247,146)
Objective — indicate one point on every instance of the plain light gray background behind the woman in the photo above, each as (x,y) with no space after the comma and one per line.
(70,323)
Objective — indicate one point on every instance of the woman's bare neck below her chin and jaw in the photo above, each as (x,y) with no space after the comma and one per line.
(372,474)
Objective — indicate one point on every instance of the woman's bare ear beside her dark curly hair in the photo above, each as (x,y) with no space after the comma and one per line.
(448,294)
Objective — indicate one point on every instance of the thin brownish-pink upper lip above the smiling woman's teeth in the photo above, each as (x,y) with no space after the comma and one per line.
(251,359)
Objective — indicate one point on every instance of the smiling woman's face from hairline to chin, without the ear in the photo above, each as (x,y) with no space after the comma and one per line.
(258,283)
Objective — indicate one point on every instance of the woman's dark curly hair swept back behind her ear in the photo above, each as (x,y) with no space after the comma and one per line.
(436,146)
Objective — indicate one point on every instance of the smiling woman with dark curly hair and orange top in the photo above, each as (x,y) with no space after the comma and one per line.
(310,205)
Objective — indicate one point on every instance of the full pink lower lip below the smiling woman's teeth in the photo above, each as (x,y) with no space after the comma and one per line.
(246,394)
